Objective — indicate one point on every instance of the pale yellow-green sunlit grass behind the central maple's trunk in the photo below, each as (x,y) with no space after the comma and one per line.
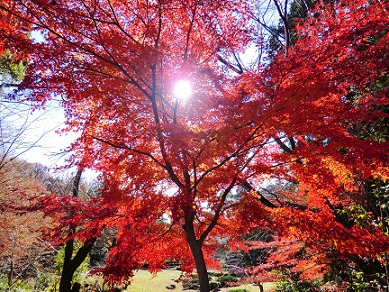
(145,282)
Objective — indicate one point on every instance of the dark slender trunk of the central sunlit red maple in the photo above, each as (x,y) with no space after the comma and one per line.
(196,249)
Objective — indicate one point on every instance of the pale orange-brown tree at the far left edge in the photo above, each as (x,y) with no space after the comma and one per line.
(22,249)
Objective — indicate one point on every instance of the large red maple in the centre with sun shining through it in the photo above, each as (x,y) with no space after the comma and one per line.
(179,171)
